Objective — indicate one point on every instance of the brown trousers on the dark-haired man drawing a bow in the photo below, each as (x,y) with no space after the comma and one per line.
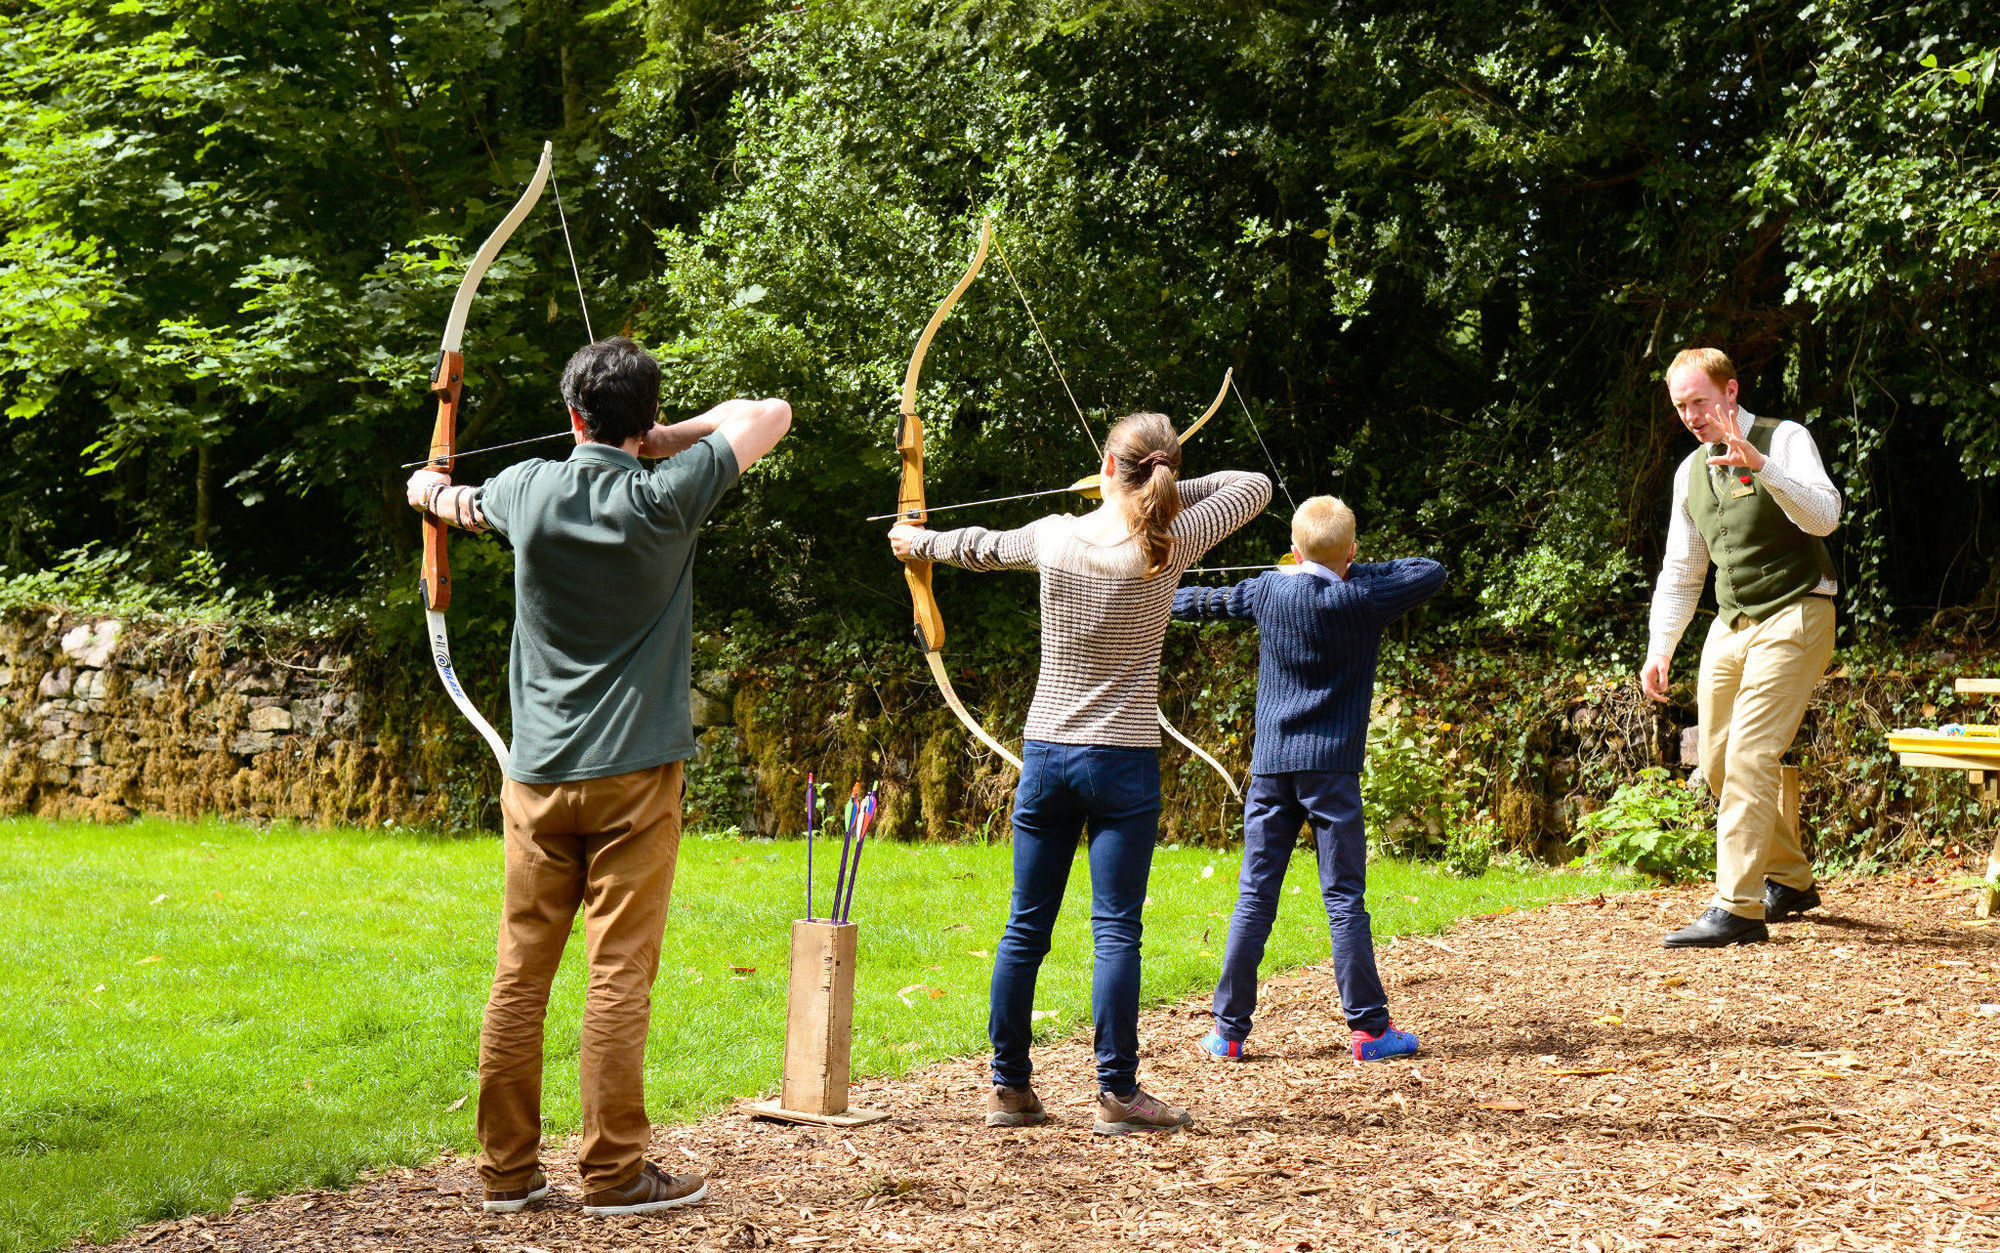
(607,846)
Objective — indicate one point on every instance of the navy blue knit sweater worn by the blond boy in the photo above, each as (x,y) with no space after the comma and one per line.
(1317,654)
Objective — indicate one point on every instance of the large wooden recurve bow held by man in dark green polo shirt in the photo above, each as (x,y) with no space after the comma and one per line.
(447,381)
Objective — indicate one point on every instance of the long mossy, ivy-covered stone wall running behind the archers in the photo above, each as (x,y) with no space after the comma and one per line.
(105,718)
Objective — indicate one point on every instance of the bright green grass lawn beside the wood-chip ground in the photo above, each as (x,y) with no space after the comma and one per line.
(199,1012)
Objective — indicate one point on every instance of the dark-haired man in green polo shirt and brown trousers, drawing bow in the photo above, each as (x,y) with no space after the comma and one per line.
(599,692)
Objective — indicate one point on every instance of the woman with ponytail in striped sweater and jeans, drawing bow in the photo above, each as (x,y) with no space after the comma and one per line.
(1093,744)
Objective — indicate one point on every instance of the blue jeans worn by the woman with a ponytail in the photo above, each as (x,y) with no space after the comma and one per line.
(1115,796)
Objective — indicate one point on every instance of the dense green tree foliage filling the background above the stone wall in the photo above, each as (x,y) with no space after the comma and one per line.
(1447,251)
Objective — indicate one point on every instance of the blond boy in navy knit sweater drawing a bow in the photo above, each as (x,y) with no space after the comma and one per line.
(1319,634)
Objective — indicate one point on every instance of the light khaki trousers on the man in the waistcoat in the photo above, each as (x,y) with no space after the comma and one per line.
(1757,680)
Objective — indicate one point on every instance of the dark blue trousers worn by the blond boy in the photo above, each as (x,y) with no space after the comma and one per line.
(1275,810)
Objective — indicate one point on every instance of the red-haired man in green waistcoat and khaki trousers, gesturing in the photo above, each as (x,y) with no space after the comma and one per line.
(1757,503)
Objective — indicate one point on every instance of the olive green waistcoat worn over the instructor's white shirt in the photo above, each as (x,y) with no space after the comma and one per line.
(1763,559)
